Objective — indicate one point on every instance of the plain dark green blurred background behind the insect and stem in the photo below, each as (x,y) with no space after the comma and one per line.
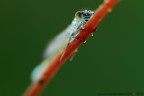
(112,61)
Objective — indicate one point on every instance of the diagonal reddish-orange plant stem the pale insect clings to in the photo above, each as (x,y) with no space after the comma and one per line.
(36,87)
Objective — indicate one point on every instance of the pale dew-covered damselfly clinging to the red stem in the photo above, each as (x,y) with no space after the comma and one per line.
(61,41)
